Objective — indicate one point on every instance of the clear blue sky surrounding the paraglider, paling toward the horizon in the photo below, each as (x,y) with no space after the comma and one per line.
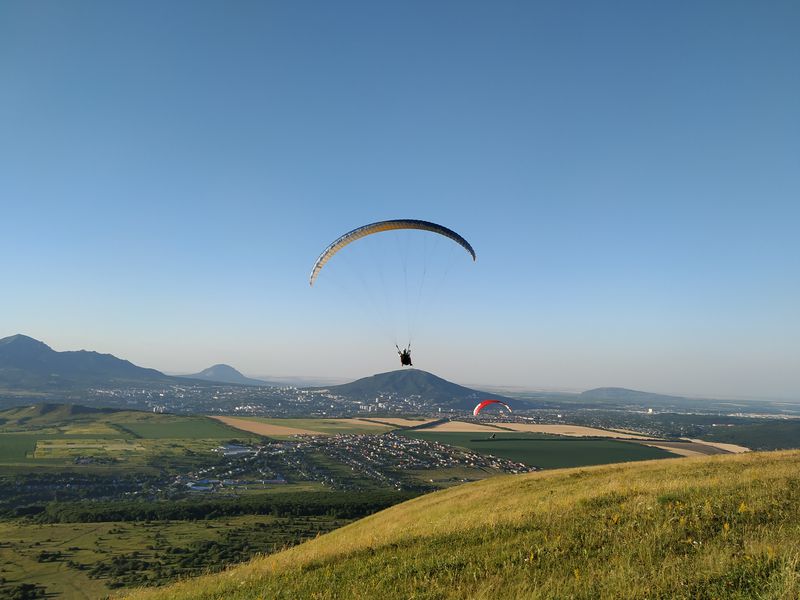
(628,172)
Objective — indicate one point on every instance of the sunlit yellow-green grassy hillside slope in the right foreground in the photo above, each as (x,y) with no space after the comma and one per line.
(707,527)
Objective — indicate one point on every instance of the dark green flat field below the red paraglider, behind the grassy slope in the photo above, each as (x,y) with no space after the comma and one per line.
(546,452)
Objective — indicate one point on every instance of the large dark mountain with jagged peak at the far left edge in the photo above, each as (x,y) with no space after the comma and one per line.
(26,363)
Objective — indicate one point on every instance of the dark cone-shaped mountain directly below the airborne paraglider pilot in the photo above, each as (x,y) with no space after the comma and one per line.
(413,382)
